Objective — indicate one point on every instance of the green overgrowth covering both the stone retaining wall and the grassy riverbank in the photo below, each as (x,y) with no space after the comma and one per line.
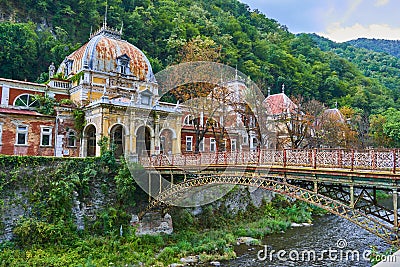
(47,234)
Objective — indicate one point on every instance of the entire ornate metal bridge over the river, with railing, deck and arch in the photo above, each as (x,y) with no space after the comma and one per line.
(343,182)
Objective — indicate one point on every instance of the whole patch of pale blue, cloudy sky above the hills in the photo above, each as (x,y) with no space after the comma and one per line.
(338,20)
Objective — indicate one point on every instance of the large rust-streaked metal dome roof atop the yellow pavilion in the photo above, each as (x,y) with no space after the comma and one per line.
(104,52)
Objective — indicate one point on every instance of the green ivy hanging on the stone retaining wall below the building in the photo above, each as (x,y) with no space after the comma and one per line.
(47,186)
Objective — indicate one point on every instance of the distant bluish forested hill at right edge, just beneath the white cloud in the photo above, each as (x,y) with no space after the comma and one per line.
(392,47)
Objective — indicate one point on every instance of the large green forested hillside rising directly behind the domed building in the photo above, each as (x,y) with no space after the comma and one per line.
(260,47)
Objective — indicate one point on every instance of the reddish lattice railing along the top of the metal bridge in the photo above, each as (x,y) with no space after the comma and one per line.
(379,160)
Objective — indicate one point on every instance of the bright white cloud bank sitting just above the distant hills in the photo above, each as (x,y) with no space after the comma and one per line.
(338,33)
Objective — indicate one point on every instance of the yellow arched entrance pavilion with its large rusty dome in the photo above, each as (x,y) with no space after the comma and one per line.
(114,83)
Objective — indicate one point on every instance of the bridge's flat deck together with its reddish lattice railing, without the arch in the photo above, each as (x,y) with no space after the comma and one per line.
(371,167)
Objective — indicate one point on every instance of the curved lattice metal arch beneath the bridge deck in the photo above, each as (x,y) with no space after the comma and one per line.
(359,218)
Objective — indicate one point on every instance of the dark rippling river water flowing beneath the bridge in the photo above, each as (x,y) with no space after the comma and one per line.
(305,246)
